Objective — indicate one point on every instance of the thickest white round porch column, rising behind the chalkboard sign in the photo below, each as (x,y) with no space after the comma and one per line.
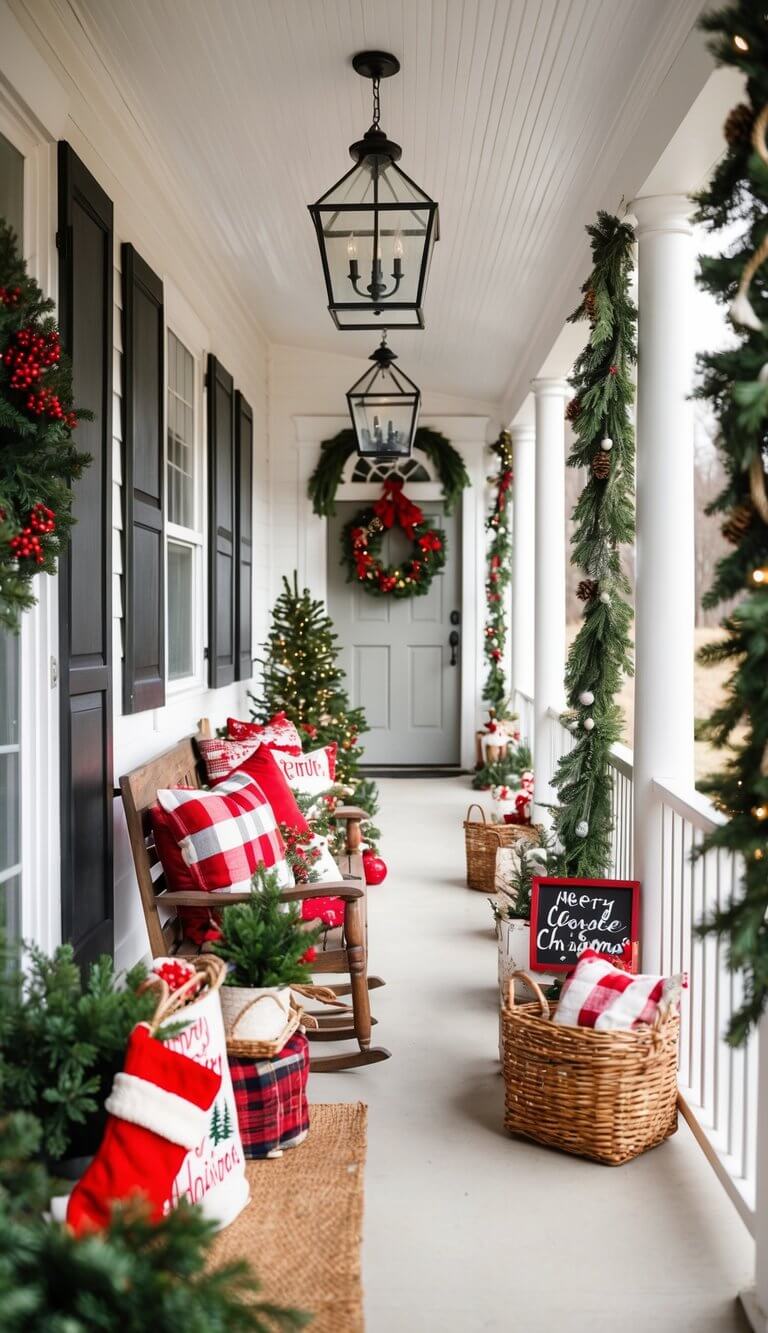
(665,599)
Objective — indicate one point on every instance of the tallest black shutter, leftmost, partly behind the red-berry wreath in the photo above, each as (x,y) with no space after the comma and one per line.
(86,266)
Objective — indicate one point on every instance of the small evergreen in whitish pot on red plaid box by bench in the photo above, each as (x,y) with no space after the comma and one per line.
(267,948)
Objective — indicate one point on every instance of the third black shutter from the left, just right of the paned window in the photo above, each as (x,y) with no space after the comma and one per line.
(222,653)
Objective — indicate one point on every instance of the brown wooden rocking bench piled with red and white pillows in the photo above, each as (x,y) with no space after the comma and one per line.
(349,956)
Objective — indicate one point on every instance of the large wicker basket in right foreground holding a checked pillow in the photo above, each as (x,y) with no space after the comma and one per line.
(609,1096)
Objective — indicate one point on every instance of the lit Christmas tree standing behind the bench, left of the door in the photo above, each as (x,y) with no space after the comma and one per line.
(303,679)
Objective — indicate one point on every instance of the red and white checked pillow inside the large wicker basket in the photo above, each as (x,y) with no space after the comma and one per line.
(601,996)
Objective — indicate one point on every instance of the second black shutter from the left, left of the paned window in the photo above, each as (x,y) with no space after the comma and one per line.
(143,490)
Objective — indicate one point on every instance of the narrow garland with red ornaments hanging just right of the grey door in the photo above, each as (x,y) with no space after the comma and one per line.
(498,579)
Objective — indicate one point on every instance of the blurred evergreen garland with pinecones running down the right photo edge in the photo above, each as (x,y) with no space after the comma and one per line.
(735,382)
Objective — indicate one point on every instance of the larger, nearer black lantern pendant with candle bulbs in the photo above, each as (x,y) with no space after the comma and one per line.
(377,229)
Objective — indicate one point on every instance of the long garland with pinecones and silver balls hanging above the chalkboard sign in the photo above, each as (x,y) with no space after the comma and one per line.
(605,521)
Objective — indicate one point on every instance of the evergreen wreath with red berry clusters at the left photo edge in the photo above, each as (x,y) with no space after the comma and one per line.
(38,459)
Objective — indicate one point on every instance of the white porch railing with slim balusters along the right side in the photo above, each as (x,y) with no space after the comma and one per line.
(718,1084)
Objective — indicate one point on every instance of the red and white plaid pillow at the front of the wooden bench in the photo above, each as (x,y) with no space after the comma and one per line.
(226,834)
